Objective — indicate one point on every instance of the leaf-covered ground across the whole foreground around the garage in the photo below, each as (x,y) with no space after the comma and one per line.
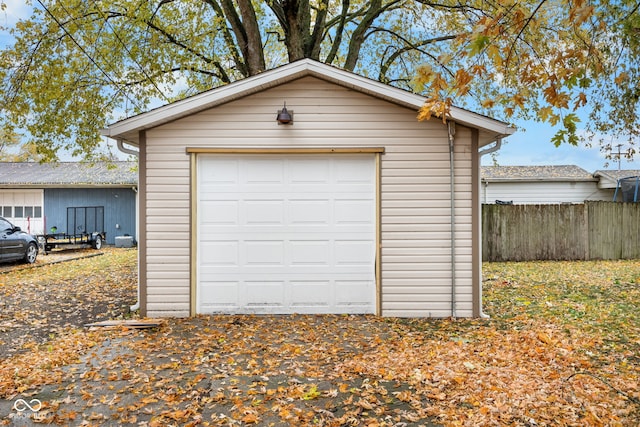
(562,347)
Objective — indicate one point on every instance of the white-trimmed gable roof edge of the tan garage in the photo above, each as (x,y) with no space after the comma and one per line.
(128,129)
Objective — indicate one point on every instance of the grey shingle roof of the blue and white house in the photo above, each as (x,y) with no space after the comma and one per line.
(67,174)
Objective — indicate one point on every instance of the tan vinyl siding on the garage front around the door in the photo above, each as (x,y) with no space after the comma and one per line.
(414,184)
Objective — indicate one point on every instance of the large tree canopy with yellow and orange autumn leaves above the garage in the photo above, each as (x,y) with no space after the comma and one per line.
(551,61)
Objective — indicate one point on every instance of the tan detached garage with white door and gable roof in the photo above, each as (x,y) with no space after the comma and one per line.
(346,209)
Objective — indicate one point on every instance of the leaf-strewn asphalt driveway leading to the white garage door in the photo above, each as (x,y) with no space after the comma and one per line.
(240,370)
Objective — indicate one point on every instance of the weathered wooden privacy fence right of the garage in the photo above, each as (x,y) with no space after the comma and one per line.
(593,230)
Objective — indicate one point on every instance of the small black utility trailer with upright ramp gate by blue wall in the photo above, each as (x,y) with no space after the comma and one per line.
(85,228)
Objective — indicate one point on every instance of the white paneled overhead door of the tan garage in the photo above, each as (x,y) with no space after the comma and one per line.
(286,234)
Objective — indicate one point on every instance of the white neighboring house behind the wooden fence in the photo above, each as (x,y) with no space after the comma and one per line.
(541,185)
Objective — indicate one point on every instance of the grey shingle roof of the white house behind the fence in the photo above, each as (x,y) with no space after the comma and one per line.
(535,173)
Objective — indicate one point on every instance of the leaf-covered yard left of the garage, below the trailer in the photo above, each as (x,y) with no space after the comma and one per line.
(65,290)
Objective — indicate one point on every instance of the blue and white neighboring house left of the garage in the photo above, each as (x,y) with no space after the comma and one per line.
(37,196)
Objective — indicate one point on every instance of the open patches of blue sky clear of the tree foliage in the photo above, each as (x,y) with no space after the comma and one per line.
(529,146)
